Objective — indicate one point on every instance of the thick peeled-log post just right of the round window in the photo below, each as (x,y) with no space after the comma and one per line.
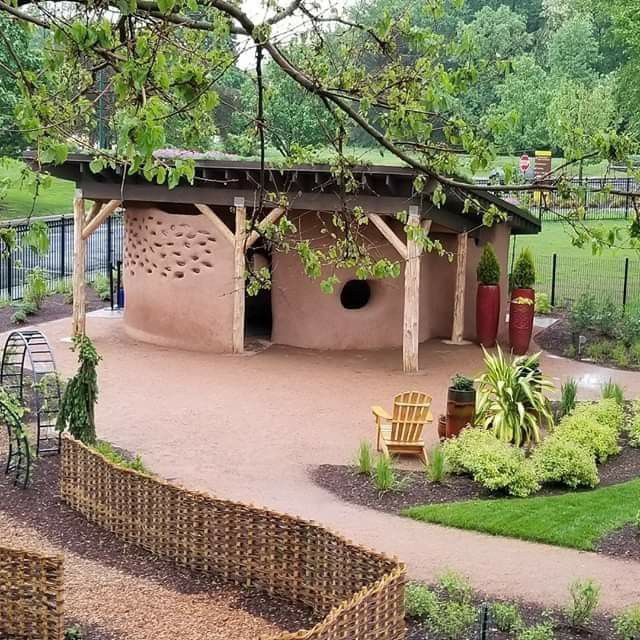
(411,325)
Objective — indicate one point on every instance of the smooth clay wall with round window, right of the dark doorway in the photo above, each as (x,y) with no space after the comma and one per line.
(304,316)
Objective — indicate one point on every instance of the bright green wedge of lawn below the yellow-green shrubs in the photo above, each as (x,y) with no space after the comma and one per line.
(576,519)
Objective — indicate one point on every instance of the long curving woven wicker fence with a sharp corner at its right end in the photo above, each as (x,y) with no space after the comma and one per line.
(358,593)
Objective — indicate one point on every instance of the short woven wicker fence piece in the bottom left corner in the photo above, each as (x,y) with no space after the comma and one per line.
(30,595)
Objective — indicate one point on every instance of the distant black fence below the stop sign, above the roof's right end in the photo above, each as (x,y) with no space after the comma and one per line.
(594,194)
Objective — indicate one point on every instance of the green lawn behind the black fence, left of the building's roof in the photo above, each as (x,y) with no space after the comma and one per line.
(18,202)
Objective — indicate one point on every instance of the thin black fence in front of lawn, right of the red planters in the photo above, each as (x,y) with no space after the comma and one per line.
(565,278)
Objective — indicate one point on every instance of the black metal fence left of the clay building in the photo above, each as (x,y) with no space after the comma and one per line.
(104,248)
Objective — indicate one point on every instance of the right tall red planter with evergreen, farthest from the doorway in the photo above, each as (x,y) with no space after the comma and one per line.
(522,306)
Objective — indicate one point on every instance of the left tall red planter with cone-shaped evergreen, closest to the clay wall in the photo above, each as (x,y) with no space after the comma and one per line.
(488,297)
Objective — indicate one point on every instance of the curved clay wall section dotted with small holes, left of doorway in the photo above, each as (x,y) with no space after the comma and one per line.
(178,277)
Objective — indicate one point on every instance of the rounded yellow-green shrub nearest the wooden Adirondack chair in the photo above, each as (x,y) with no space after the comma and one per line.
(496,465)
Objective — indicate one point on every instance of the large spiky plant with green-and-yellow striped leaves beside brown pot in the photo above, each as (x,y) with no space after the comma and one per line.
(511,398)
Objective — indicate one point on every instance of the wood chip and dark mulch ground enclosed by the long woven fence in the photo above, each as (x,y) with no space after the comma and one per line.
(115,592)
